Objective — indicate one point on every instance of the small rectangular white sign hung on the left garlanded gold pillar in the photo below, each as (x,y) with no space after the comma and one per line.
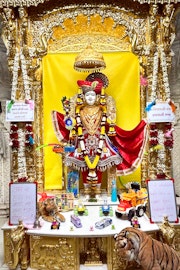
(20,111)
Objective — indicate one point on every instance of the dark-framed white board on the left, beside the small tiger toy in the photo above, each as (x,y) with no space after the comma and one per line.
(22,203)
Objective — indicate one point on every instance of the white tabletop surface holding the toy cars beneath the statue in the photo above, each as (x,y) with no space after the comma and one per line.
(88,225)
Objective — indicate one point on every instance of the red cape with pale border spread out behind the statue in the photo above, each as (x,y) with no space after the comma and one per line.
(129,145)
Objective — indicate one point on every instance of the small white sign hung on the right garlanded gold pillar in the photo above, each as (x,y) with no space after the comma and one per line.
(160,112)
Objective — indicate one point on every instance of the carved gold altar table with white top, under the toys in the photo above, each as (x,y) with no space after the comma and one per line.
(71,246)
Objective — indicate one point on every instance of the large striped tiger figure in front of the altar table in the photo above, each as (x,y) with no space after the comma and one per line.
(135,245)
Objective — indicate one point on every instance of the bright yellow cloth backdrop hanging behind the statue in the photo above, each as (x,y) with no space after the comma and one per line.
(60,79)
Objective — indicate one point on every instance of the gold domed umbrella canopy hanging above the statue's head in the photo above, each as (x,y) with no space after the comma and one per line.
(89,60)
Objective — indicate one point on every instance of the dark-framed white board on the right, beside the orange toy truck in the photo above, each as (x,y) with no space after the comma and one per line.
(162,200)
